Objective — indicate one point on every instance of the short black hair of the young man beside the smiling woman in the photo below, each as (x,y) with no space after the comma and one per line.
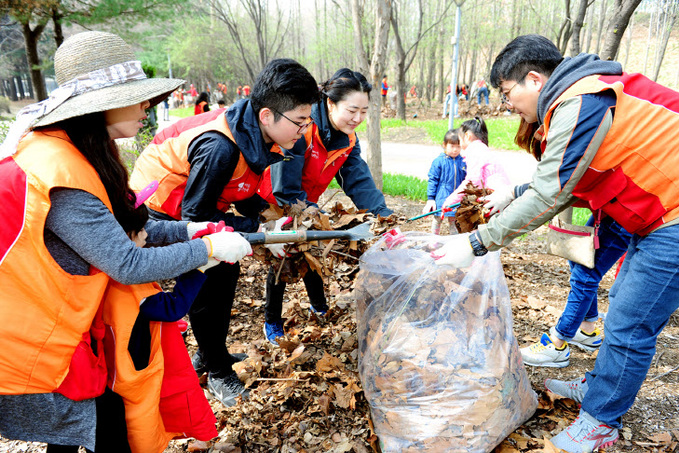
(283,85)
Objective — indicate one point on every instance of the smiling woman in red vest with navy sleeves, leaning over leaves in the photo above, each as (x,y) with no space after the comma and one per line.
(330,149)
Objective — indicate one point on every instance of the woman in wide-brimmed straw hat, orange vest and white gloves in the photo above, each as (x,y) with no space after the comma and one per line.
(65,260)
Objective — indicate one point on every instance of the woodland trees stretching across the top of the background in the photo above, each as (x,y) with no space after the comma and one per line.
(207,42)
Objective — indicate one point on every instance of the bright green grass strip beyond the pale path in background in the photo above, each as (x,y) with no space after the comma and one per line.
(501,129)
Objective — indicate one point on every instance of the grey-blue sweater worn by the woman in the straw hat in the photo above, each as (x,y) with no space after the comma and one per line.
(80,231)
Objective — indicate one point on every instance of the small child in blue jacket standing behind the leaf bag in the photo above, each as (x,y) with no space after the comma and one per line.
(447,172)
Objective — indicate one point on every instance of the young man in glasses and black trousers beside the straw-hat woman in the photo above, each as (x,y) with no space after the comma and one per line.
(205,168)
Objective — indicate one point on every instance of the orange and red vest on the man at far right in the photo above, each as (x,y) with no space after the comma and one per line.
(634,174)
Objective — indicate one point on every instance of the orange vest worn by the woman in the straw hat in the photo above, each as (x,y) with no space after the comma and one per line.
(45,311)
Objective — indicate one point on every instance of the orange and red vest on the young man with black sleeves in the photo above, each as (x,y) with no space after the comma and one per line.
(168,164)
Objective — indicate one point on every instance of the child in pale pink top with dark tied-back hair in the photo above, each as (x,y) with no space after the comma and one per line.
(481,170)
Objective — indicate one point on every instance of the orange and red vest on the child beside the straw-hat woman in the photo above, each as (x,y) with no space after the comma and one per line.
(156,404)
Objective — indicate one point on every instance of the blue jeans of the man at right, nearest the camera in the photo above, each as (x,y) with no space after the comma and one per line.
(642,299)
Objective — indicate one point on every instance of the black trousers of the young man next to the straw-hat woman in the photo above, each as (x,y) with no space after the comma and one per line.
(210,316)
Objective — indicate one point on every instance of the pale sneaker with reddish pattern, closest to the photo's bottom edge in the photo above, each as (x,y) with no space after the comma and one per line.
(586,434)
